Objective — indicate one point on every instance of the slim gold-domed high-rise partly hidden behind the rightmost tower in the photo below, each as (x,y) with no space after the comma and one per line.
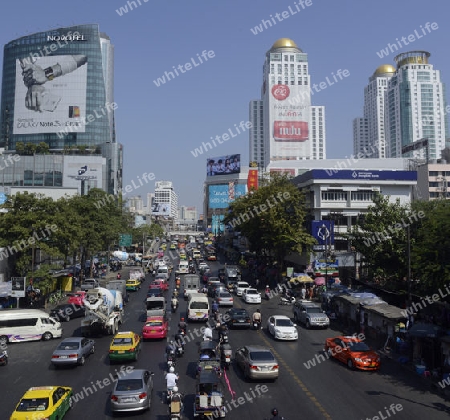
(369,132)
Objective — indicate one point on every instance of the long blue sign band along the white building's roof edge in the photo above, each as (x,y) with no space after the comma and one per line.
(358,174)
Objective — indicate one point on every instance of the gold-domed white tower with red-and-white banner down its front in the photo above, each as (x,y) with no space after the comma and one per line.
(284,124)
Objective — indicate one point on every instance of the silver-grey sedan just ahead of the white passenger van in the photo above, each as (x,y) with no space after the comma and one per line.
(73,351)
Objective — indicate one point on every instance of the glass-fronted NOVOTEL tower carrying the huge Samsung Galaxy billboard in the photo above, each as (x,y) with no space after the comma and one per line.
(58,89)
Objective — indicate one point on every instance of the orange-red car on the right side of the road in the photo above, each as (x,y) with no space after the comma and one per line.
(352,351)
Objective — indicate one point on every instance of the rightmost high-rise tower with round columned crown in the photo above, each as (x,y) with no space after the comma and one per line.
(415,107)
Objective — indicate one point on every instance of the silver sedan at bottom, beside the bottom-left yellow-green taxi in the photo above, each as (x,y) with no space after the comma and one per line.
(132,391)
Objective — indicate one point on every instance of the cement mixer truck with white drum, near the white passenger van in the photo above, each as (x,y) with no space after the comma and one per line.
(104,312)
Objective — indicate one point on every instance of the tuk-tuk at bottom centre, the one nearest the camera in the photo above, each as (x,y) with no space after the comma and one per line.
(209,399)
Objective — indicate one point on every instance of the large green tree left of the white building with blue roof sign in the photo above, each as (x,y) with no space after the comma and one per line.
(272,218)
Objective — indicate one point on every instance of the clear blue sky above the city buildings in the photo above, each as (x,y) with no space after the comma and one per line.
(159,126)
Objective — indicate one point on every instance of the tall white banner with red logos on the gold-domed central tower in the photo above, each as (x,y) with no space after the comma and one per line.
(289,114)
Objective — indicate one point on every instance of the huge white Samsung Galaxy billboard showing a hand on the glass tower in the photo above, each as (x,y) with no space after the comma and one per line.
(50,94)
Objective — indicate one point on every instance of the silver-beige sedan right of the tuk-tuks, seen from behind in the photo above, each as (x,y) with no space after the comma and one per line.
(257,362)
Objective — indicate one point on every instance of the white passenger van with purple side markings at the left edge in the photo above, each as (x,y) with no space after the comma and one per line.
(17,325)
